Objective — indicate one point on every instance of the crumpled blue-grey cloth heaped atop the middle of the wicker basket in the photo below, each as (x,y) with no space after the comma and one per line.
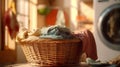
(56,32)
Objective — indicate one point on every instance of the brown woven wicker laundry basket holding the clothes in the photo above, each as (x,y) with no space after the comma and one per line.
(51,52)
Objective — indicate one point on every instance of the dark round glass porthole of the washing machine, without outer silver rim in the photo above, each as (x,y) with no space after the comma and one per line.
(110,25)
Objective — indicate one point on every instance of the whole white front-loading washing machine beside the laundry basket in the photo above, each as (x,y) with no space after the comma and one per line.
(107,28)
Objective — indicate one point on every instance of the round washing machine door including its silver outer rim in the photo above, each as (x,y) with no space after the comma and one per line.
(109,26)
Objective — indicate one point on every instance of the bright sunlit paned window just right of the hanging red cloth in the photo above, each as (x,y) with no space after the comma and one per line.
(27,13)
